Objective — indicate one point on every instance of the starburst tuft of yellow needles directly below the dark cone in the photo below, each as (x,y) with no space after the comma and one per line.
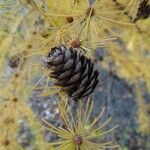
(81,134)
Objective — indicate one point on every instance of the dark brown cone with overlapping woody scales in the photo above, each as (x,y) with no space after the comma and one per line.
(72,71)
